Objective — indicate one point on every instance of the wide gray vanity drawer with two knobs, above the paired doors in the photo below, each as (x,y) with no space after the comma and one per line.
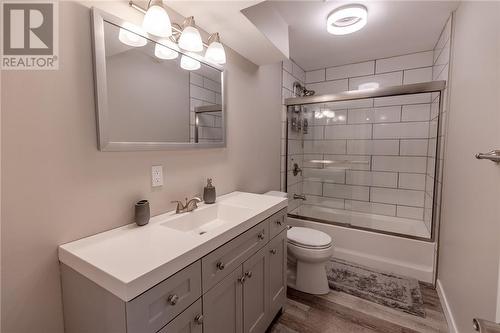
(222,261)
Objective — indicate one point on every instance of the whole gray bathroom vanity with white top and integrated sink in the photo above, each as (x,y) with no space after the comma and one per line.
(218,269)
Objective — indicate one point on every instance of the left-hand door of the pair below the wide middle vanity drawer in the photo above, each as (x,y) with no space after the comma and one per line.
(222,305)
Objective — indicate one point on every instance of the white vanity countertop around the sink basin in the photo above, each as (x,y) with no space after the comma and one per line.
(129,260)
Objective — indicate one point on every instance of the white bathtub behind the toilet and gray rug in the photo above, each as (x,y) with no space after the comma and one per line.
(404,256)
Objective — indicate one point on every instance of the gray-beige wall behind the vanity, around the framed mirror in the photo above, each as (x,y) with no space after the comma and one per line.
(57,187)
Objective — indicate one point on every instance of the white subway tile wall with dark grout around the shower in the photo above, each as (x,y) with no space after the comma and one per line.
(370,155)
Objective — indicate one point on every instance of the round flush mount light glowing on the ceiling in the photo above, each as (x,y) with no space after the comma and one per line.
(347,19)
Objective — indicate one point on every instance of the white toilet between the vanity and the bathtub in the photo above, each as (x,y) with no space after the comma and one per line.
(308,252)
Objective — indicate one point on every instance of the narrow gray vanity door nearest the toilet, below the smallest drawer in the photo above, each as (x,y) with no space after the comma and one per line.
(277,248)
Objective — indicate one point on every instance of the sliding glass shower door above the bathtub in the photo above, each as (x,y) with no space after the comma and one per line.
(366,163)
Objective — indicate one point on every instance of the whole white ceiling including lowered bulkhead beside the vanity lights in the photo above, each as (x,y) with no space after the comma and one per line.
(394,28)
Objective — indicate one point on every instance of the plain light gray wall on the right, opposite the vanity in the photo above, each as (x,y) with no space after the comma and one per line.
(470,228)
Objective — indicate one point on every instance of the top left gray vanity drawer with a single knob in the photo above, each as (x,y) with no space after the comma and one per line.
(153,309)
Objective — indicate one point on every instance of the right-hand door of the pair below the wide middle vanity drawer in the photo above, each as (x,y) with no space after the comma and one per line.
(256,292)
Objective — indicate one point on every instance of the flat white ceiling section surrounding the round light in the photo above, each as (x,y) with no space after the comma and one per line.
(393,28)
